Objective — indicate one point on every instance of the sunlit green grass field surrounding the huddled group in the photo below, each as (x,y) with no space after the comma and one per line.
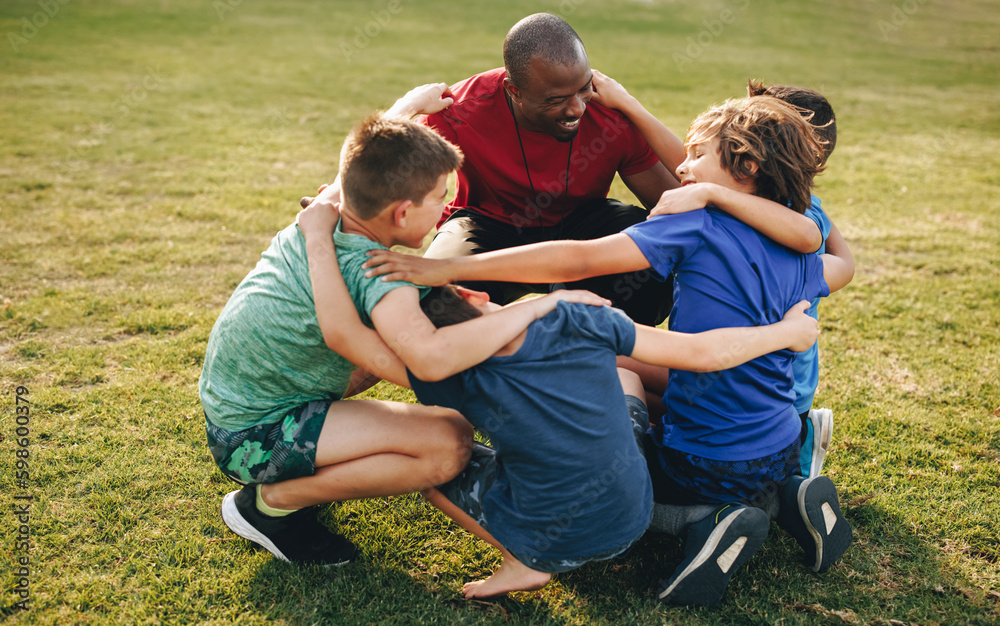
(150,150)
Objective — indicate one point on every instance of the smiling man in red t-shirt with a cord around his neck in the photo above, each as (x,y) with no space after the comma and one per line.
(539,162)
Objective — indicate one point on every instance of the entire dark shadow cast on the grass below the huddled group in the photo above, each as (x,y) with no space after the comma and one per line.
(889,575)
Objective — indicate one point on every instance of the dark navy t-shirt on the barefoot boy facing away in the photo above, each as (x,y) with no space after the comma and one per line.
(571,482)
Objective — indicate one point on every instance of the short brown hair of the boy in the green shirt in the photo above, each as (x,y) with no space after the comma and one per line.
(387,159)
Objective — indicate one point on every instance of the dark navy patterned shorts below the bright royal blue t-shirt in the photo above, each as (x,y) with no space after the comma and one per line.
(685,479)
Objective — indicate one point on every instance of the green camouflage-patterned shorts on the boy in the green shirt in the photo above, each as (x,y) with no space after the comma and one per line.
(270,453)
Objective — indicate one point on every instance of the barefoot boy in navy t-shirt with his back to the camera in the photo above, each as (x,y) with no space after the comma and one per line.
(567,483)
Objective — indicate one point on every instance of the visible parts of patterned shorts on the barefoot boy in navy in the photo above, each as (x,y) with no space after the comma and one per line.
(466,491)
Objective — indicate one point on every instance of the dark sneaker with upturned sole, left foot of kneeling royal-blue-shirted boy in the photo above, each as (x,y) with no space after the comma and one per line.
(714,549)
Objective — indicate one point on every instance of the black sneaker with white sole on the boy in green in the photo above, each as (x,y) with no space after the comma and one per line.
(296,538)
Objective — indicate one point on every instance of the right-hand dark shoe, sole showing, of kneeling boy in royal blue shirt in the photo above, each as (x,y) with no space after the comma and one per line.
(810,512)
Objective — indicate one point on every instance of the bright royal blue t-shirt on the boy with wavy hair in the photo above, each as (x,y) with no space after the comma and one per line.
(726,274)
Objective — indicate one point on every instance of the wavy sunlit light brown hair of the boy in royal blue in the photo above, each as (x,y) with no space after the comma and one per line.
(768,134)
